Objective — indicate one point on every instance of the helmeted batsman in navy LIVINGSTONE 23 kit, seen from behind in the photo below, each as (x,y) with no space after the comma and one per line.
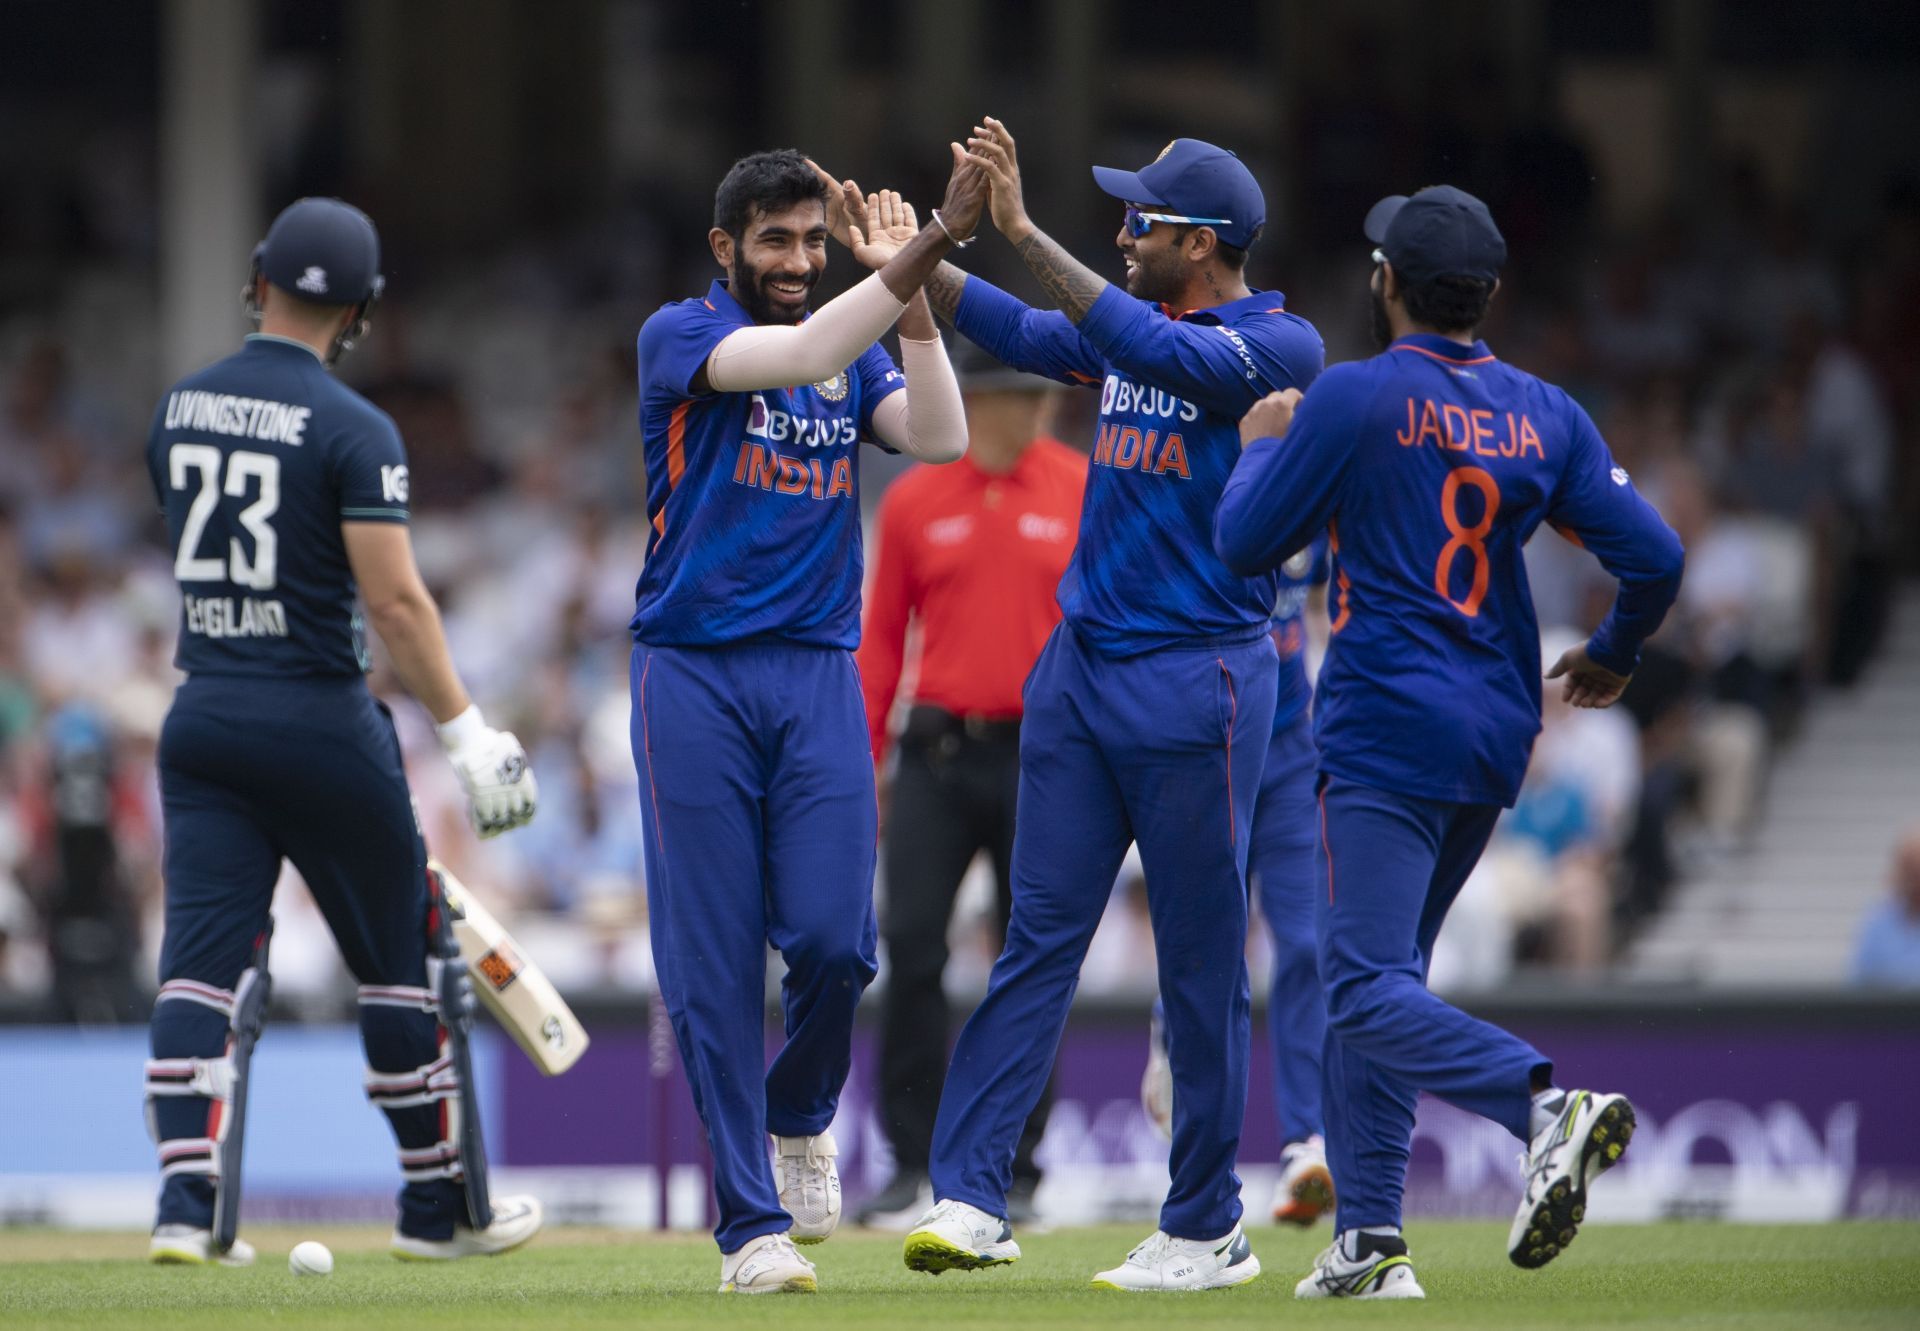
(287,502)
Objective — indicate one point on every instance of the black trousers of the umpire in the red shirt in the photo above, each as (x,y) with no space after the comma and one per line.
(953,796)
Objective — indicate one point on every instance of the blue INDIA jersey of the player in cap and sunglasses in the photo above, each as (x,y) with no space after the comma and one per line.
(1172,397)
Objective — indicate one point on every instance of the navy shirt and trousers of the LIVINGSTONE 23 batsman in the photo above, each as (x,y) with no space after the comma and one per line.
(276,748)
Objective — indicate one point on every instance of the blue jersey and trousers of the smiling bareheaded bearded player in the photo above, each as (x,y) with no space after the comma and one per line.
(750,737)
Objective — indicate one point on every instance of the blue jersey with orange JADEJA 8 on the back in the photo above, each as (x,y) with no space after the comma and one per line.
(1431,466)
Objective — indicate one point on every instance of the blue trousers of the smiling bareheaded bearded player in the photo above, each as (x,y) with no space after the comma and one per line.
(757,796)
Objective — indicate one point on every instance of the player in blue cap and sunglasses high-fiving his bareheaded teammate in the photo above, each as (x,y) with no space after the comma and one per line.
(1149,712)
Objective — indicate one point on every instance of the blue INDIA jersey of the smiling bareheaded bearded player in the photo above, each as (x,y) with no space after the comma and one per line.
(754,496)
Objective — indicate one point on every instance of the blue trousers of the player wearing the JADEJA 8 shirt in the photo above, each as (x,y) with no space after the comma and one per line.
(1391,867)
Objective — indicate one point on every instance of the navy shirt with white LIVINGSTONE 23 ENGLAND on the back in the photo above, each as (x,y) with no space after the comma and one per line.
(258,460)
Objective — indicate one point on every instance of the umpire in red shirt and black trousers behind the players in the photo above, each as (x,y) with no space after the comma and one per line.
(971,556)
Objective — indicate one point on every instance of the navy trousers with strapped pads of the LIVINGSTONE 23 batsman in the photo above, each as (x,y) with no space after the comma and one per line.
(306,769)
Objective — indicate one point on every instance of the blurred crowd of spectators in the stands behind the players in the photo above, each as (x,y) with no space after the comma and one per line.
(1752,362)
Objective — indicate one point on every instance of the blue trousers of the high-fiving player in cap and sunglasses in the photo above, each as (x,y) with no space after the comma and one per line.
(1163,750)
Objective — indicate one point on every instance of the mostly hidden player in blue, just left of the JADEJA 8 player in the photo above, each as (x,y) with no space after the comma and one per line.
(1282,871)
